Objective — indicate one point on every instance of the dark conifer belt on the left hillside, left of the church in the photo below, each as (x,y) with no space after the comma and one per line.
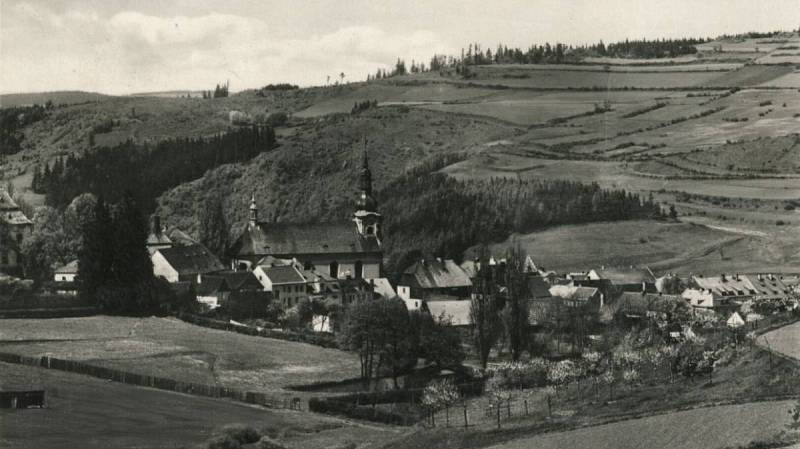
(147,170)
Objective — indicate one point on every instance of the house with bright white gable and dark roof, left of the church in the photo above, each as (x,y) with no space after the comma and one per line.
(185,263)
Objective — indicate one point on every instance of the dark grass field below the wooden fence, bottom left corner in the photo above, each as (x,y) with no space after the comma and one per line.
(85,413)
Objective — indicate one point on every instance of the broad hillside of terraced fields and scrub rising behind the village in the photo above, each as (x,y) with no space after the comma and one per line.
(719,123)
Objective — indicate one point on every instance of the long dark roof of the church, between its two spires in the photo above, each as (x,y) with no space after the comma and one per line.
(311,238)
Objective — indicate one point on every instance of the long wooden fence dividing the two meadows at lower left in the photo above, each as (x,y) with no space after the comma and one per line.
(161,383)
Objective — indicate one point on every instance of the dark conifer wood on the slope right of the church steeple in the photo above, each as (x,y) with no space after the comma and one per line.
(437,215)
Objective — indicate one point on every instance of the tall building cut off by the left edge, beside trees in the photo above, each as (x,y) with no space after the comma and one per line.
(14,227)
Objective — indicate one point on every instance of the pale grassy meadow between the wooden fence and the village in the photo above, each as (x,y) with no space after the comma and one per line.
(174,349)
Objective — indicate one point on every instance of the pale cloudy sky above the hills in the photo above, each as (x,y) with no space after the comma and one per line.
(128,46)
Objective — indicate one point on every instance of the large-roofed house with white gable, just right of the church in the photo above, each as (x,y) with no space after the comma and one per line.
(428,277)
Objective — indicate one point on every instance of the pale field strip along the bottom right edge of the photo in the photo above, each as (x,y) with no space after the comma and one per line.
(704,428)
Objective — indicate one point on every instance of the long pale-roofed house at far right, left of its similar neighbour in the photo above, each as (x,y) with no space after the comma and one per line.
(715,292)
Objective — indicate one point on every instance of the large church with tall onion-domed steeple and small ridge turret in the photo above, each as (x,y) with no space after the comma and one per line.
(349,249)
